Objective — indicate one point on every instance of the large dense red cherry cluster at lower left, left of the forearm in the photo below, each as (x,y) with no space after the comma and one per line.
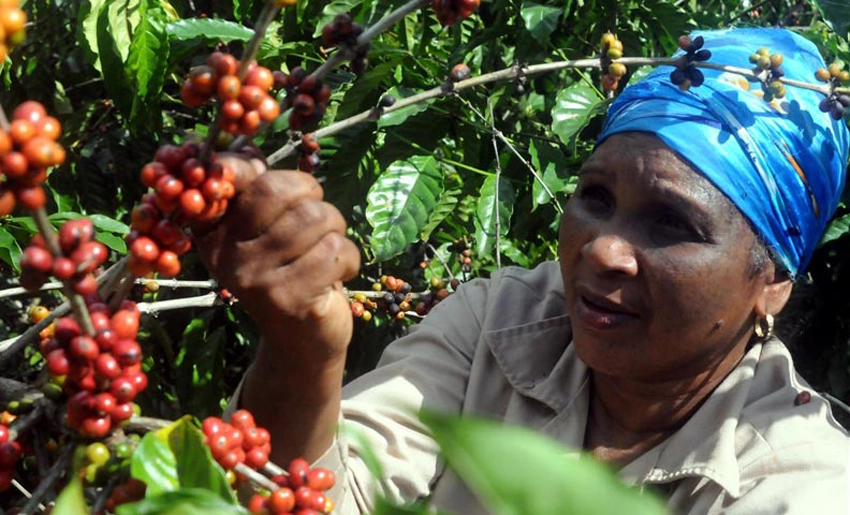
(102,373)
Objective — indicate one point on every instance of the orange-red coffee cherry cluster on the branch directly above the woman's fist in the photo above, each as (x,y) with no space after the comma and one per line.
(244,104)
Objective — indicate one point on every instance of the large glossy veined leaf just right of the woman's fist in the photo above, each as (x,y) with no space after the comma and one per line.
(400,202)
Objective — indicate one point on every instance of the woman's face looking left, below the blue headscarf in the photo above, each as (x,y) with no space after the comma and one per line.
(656,264)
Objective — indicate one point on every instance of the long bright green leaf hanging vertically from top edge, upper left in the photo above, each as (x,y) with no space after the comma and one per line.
(147,65)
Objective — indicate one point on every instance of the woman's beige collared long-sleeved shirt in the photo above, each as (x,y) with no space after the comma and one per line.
(500,348)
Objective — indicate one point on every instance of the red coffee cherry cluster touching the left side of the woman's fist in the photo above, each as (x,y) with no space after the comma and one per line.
(184,188)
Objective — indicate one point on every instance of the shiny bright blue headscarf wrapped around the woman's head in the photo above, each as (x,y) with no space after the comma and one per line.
(782,162)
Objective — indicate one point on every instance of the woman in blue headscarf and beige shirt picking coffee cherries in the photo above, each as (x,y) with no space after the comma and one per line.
(648,344)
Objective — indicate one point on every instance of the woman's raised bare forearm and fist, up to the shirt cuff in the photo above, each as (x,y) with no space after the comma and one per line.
(282,251)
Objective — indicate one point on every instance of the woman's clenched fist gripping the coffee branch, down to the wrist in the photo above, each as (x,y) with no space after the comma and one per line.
(283,252)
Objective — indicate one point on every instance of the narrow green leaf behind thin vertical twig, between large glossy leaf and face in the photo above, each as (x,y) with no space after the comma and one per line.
(486,213)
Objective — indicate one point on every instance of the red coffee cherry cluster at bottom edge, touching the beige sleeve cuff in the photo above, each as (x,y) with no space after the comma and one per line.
(301,492)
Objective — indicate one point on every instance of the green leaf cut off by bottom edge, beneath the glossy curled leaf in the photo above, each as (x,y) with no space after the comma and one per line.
(186,501)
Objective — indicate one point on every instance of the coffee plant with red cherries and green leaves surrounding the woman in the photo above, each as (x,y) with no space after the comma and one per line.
(446,131)
